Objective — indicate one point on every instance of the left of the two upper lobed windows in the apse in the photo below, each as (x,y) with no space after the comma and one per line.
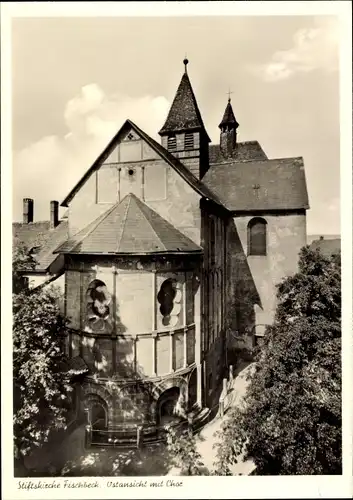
(98,301)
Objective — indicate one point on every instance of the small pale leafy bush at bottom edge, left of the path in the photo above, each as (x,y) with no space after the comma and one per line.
(182,447)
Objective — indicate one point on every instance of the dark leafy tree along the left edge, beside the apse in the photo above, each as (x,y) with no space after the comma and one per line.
(41,387)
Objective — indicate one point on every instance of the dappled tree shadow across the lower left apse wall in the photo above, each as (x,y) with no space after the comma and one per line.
(122,388)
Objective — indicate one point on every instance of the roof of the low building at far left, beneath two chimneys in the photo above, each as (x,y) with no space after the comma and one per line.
(39,236)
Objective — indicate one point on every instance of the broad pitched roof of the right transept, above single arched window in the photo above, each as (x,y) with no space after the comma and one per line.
(261,185)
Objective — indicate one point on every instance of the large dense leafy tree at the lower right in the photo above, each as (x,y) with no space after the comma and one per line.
(291,419)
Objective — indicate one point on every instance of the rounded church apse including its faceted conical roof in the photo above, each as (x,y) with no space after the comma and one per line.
(133,298)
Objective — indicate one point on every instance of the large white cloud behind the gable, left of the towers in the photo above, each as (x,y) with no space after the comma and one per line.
(48,169)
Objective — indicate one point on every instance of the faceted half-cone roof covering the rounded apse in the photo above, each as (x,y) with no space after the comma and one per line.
(129,227)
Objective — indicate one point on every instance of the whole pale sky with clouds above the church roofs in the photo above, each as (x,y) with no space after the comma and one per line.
(76,80)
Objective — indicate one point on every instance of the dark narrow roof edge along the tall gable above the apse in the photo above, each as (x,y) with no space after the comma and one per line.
(182,170)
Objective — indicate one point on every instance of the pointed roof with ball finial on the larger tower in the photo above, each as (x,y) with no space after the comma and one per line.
(184,113)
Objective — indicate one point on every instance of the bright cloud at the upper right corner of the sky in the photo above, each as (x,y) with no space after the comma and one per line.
(313,48)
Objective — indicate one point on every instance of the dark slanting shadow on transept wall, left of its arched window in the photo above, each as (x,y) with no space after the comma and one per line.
(241,293)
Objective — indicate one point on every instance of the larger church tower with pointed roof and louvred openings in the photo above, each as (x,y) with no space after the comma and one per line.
(184,134)
